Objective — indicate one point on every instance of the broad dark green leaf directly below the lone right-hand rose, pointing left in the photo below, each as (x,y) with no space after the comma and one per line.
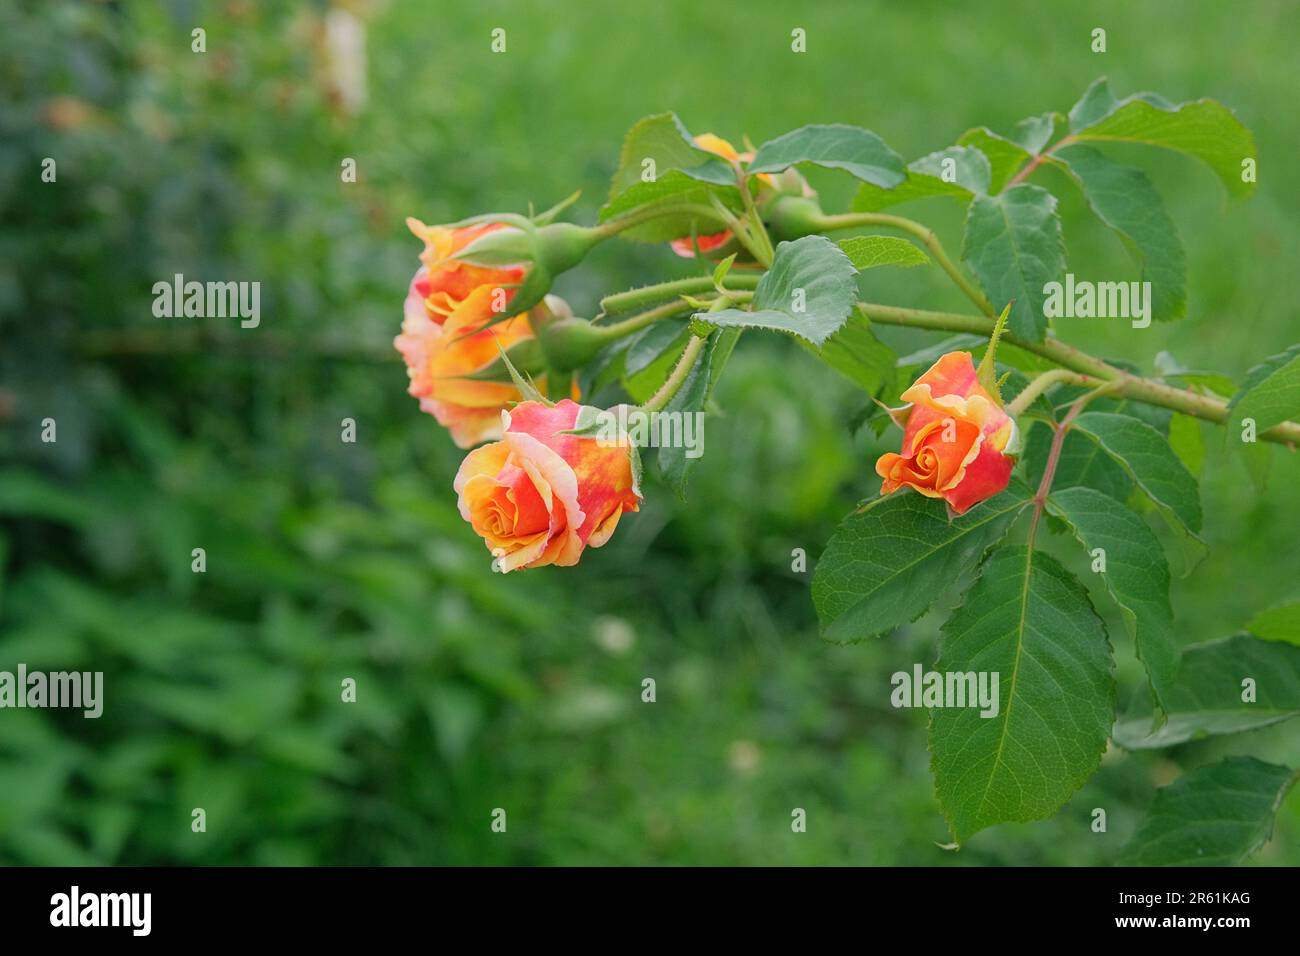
(889,563)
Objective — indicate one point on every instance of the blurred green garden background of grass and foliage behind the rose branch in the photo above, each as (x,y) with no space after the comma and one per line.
(328,561)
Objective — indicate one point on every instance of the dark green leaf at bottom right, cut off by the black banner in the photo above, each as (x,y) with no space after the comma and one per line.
(1215,816)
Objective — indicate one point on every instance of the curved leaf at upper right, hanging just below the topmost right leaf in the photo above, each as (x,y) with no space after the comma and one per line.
(1125,200)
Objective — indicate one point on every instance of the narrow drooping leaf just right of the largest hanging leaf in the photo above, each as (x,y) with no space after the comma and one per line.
(1137,576)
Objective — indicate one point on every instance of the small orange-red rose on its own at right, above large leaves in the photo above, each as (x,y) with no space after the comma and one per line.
(956,439)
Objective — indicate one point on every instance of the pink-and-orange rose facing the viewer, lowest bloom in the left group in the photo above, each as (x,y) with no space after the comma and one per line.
(539,498)
